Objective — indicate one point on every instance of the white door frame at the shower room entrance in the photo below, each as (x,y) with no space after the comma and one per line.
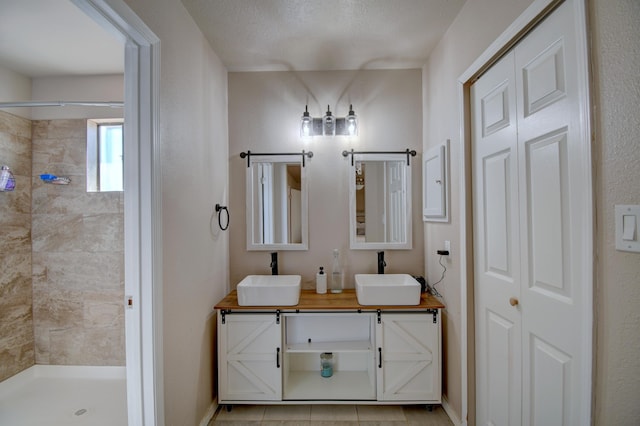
(143,213)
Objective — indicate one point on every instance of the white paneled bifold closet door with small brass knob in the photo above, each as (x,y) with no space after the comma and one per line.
(529,232)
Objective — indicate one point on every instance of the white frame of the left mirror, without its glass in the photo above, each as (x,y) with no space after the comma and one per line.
(290,159)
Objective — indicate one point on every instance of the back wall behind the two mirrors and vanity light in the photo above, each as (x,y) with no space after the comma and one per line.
(264,116)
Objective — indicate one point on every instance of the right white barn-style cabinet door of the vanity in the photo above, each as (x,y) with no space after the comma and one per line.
(408,350)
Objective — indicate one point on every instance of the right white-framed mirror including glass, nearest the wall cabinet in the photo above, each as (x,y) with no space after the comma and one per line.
(380,202)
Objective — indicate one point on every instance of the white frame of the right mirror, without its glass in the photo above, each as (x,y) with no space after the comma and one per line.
(358,245)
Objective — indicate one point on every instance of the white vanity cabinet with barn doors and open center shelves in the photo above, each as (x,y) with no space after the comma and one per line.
(379,356)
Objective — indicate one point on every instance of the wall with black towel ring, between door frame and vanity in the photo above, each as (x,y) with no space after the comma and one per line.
(193,147)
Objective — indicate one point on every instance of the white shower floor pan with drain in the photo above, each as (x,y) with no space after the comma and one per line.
(55,395)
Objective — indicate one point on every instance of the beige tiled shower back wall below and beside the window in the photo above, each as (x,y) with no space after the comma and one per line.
(78,255)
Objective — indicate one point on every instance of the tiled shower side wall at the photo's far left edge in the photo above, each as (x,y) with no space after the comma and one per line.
(16,319)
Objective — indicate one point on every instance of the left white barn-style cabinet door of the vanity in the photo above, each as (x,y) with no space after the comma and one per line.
(249,357)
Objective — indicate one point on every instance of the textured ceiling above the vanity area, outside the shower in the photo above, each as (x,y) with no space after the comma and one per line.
(252,35)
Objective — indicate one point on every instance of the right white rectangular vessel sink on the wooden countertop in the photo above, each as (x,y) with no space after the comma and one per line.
(387,289)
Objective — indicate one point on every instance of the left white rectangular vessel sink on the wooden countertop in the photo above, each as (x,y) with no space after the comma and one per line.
(269,290)
